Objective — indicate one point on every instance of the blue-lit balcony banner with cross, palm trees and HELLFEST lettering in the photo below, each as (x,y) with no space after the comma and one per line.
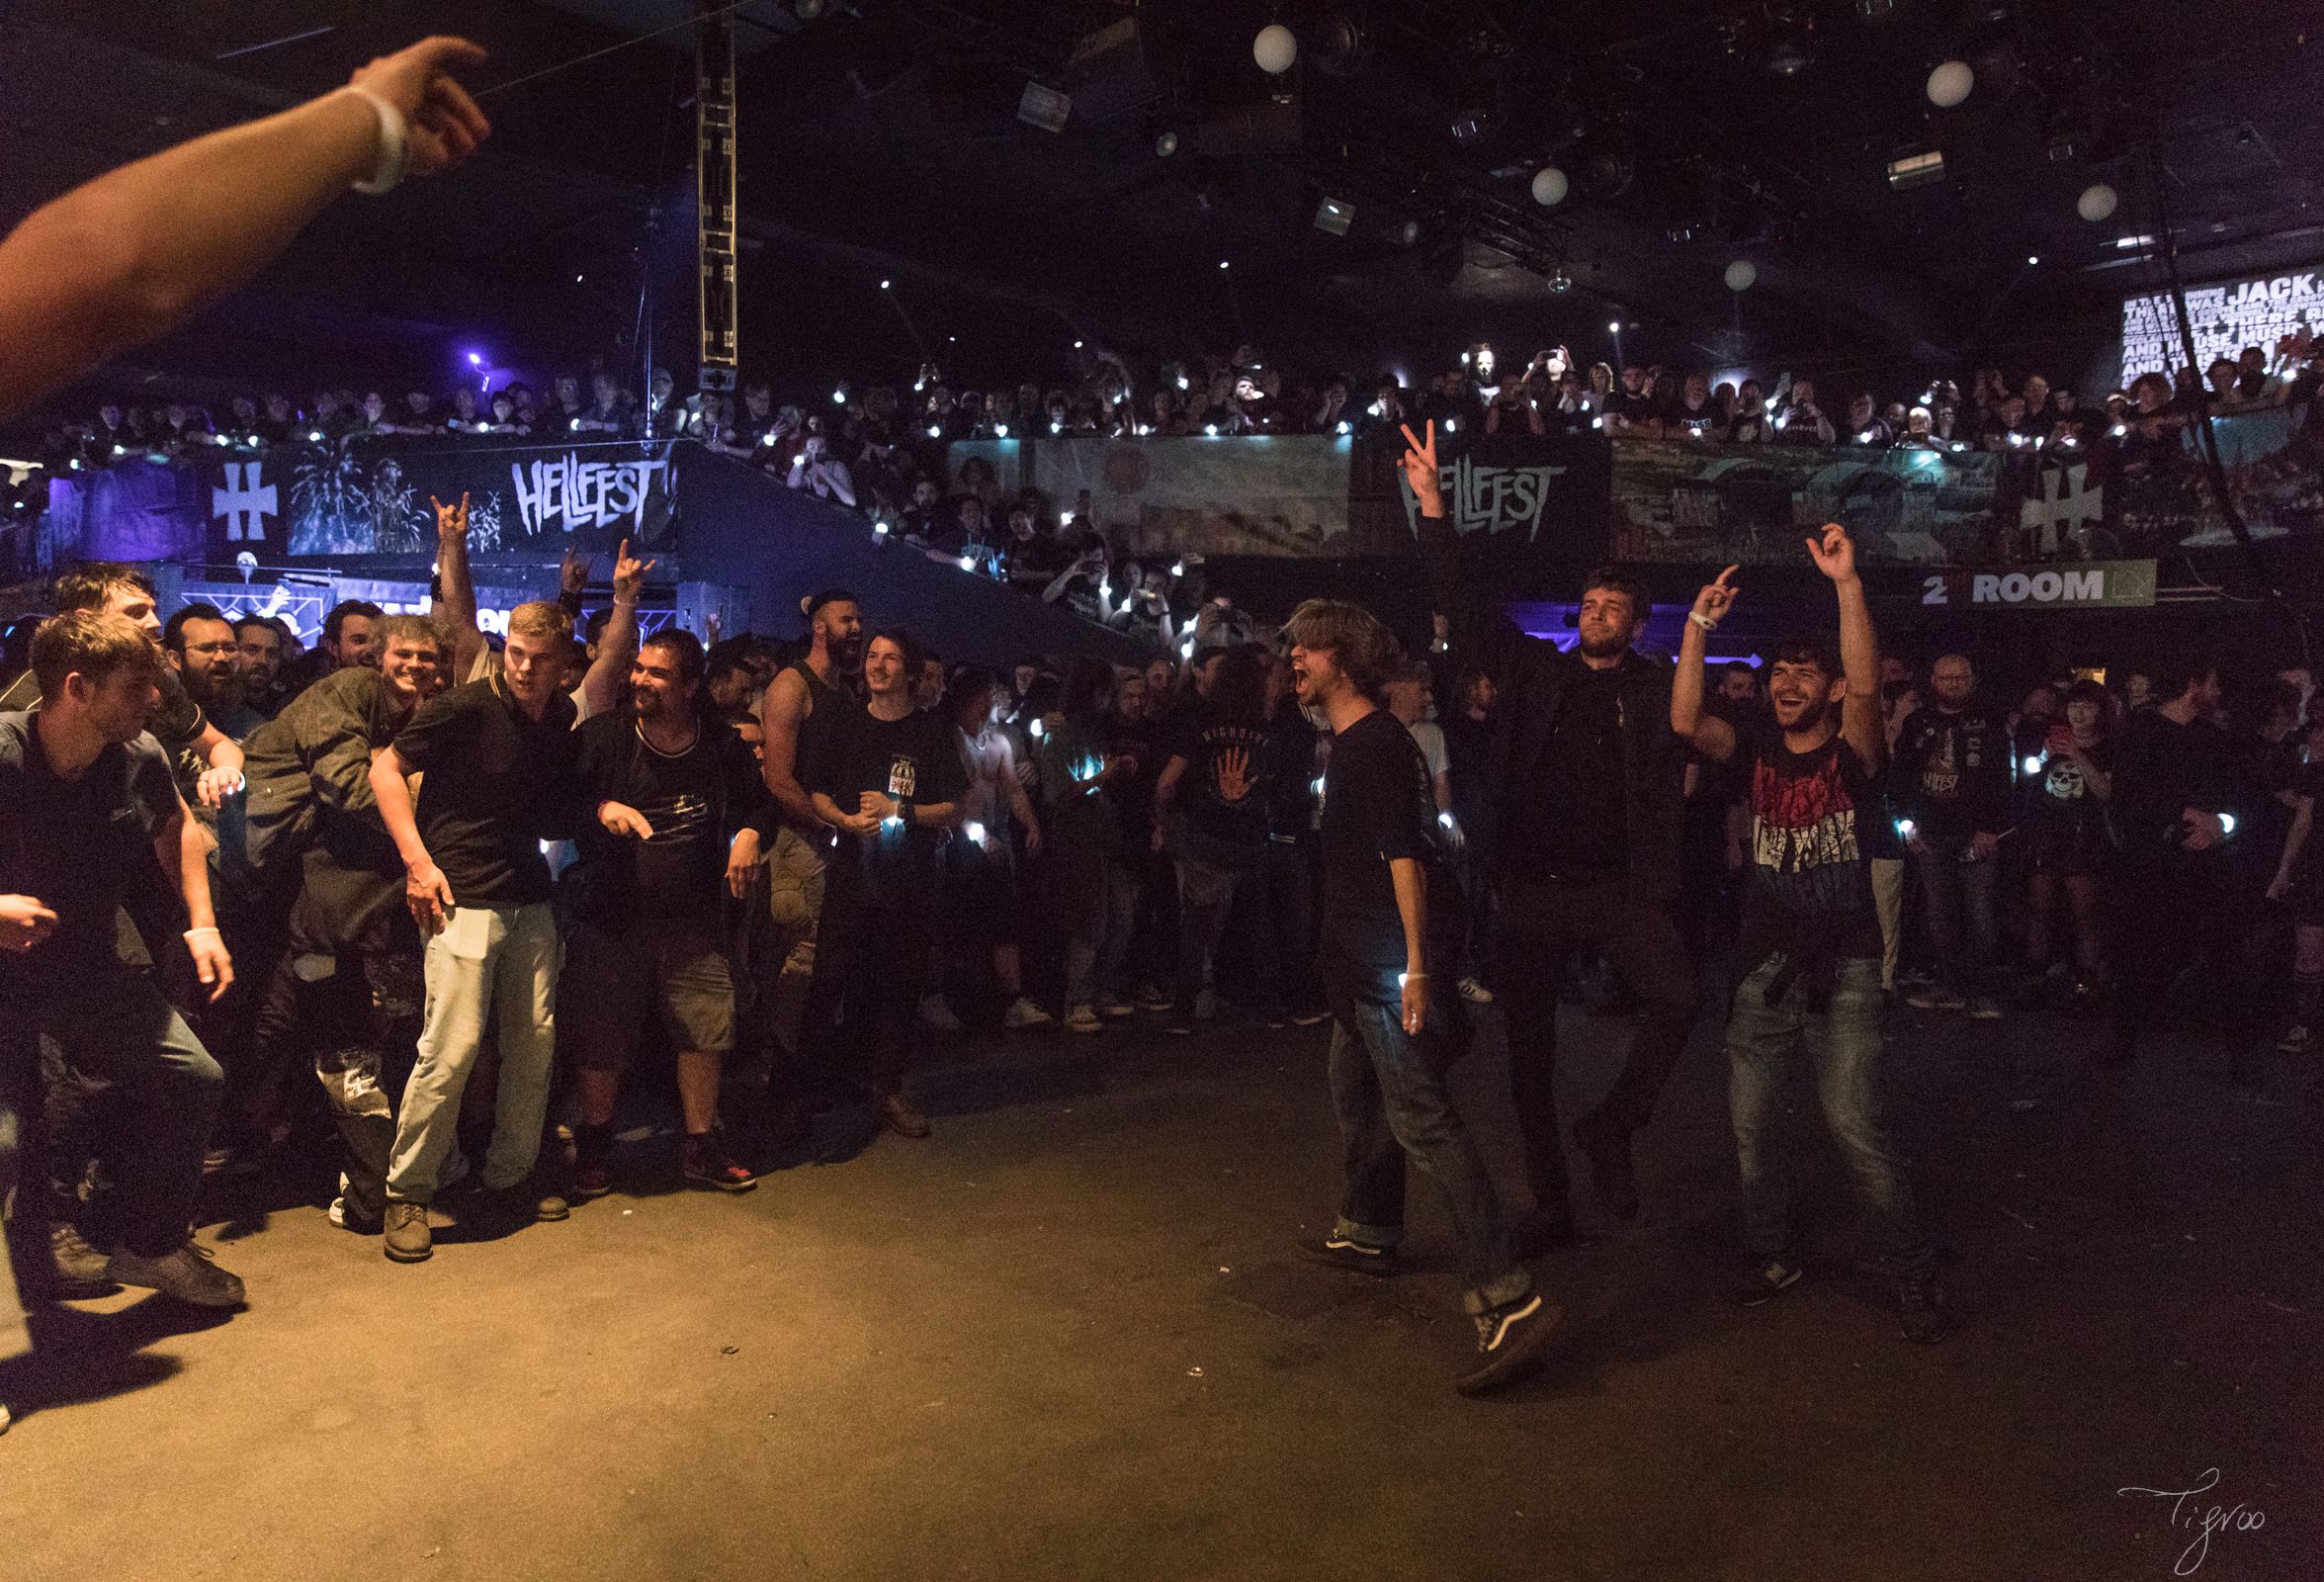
(371,498)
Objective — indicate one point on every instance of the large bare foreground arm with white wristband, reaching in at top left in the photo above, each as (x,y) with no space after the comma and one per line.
(141,250)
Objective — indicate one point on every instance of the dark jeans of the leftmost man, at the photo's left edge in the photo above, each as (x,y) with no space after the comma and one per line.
(162,1093)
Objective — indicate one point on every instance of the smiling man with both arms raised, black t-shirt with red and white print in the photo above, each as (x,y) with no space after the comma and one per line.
(1812,937)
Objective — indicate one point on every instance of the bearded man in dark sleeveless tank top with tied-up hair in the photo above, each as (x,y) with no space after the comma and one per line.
(805,703)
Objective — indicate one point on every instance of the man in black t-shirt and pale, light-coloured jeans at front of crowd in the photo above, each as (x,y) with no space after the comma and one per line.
(498,779)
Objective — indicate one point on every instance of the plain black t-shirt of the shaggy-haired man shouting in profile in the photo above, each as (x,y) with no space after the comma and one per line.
(1377,807)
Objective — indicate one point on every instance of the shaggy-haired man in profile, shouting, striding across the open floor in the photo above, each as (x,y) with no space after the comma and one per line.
(1389,1058)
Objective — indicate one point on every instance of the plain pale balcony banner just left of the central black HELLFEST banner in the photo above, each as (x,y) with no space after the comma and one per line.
(1238,496)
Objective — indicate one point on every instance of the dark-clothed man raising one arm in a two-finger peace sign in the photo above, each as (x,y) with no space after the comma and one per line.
(1591,819)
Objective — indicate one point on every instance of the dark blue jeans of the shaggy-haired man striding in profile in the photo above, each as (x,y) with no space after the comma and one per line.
(1391,1107)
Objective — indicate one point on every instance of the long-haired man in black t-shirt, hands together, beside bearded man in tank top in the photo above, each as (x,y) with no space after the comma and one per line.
(889,782)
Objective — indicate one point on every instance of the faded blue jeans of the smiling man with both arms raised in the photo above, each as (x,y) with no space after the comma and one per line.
(1842,1047)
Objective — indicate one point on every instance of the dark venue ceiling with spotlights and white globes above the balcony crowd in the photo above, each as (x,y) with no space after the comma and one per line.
(882,141)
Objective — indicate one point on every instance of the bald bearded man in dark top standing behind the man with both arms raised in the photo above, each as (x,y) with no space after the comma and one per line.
(1953,796)
